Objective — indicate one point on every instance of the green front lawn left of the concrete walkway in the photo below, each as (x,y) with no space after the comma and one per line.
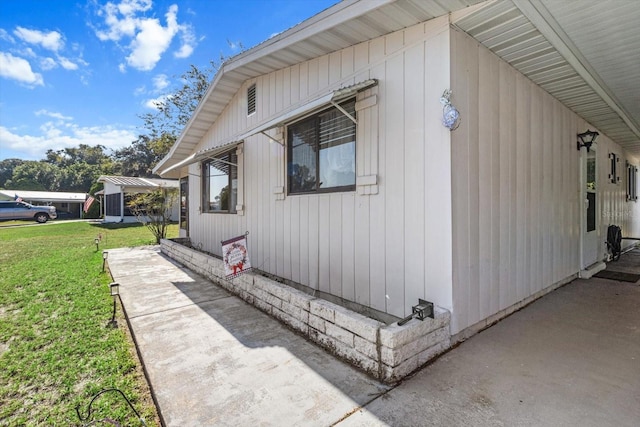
(56,352)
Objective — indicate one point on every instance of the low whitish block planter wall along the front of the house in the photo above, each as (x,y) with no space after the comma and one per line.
(387,352)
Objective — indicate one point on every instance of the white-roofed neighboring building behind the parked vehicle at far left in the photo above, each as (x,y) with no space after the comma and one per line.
(68,205)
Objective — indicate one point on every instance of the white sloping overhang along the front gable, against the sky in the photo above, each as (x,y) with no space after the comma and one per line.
(345,24)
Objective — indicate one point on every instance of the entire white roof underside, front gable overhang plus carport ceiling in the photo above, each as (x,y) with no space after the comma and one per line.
(585,53)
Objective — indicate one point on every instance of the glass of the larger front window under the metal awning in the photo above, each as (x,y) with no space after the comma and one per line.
(322,152)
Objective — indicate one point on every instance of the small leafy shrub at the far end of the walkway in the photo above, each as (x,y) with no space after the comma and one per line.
(153,209)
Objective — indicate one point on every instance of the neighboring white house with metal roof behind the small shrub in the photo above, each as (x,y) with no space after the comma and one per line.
(118,191)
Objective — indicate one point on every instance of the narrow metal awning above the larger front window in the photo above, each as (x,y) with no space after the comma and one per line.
(300,110)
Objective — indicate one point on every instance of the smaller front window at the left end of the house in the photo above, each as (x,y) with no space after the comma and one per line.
(220,183)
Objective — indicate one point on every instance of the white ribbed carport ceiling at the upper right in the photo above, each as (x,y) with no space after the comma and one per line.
(585,53)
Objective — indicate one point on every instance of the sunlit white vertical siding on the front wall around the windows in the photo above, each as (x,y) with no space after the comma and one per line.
(385,249)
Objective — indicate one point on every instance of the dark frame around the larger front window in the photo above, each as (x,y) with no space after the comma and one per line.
(316,115)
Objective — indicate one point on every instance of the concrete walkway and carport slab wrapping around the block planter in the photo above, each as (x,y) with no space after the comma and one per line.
(571,358)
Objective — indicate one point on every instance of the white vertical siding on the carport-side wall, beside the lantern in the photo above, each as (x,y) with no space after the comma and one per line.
(517,200)
